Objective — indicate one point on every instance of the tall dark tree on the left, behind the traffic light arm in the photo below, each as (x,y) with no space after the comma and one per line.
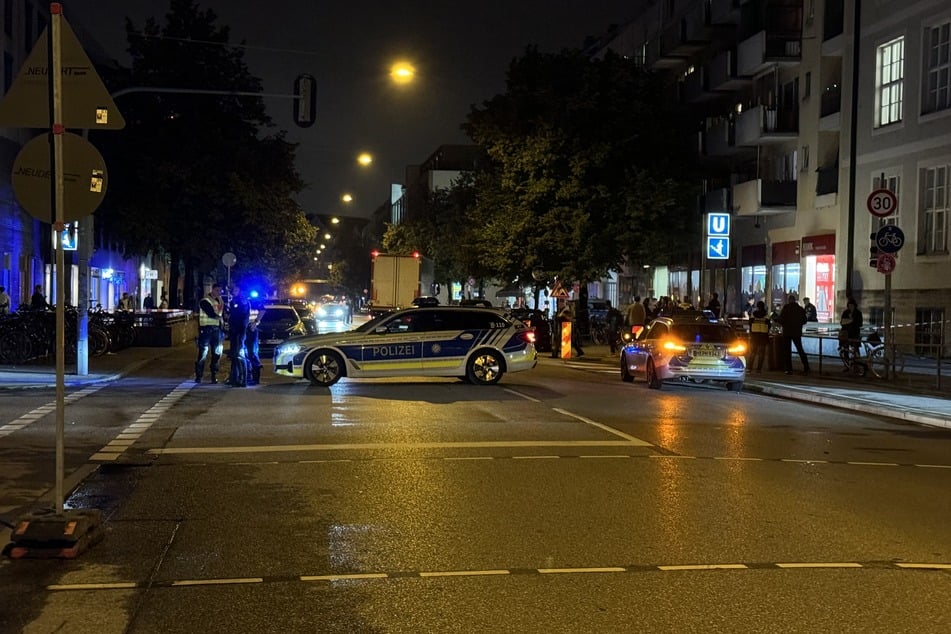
(196,175)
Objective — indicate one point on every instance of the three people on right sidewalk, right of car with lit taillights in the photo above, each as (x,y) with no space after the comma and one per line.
(792,318)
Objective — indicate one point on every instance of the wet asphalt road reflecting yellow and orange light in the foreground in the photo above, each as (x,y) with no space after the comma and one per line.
(560,500)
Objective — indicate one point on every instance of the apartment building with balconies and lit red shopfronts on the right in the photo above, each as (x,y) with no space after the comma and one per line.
(770,87)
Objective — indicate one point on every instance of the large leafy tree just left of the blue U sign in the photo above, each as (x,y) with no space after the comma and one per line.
(580,155)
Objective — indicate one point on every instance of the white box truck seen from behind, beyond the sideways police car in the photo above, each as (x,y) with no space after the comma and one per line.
(396,280)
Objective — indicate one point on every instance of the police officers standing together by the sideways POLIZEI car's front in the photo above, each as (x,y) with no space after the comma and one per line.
(242,338)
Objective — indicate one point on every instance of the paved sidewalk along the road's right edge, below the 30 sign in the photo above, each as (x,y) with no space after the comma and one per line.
(914,399)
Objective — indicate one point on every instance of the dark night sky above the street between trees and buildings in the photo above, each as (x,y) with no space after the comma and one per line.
(461,53)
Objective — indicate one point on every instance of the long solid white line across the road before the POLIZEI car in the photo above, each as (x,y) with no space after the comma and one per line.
(503,444)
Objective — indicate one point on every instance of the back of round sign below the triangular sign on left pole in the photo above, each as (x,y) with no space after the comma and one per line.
(84,178)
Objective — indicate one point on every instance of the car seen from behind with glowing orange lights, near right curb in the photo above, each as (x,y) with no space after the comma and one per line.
(688,346)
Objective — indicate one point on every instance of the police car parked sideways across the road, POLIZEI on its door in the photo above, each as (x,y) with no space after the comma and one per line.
(474,344)
